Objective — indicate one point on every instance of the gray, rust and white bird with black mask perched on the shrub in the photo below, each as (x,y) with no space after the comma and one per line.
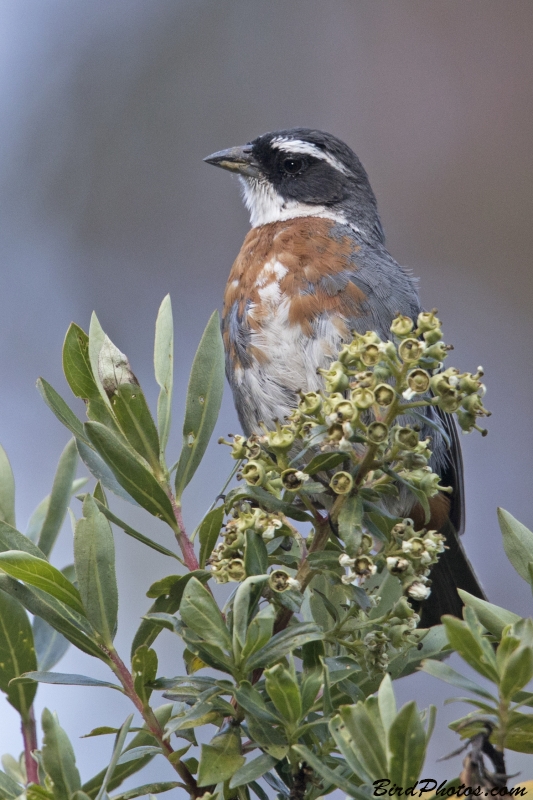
(312,268)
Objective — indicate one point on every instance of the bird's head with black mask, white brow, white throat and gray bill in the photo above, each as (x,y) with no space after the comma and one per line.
(301,173)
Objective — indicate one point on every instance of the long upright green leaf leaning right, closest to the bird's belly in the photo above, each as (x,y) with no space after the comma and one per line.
(204,396)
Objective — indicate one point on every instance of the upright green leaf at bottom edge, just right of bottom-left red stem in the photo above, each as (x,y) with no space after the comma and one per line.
(58,758)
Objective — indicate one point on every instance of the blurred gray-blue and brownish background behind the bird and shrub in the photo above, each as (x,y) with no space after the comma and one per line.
(106,111)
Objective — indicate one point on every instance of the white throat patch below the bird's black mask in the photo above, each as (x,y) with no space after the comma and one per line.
(266,205)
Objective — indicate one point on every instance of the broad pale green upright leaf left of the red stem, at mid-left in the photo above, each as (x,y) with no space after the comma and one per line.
(94,558)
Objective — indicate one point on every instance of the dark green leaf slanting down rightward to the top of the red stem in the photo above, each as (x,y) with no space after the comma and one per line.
(130,473)
